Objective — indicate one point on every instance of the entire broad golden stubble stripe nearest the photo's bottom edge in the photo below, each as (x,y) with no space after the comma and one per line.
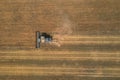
(58,71)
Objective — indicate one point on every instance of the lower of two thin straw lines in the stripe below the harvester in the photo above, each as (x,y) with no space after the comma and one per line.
(58,58)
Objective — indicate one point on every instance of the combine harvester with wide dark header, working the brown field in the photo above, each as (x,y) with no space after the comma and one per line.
(42,38)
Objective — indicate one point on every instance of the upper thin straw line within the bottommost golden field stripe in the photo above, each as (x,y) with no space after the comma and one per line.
(51,68)
